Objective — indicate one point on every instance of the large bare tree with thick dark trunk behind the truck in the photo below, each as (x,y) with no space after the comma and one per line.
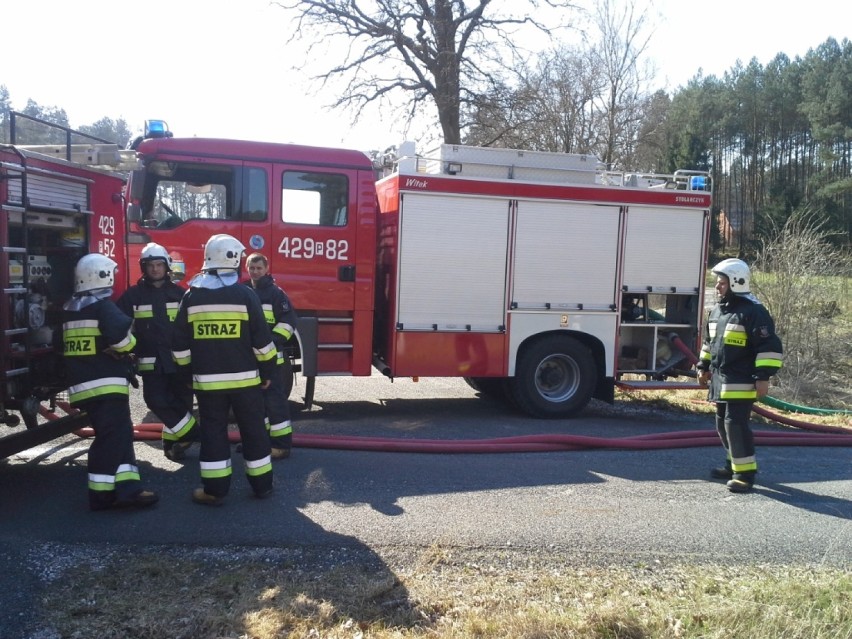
(443,52)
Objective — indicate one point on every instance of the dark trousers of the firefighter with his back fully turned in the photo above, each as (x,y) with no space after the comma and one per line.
(215,455)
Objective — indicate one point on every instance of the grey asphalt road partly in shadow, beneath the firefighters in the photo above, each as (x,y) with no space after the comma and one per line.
(609,505)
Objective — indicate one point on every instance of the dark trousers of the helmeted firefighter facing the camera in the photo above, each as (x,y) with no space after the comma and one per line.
(171,402)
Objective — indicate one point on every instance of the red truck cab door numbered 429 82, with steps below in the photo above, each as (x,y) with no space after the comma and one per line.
(320,255)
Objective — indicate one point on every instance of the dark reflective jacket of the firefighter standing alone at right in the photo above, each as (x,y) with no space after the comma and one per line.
(740,347)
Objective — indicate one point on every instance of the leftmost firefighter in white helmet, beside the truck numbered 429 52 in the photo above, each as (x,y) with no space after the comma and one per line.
(97,340)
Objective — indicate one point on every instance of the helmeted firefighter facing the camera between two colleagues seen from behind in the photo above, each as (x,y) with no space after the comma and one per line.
(152,303)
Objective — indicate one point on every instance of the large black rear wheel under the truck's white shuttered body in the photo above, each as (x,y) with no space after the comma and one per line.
(554,377)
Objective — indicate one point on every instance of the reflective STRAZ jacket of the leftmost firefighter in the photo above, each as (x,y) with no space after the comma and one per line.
(90,326)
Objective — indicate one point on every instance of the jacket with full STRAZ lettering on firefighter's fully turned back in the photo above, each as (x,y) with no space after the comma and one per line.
(221,336)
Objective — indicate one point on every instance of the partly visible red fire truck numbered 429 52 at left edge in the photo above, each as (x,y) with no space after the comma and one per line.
(57,203)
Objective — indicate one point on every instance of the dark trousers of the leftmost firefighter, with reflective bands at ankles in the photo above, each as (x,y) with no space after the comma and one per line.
(112,469)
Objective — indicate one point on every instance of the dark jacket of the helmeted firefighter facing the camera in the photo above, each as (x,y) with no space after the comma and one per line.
(153,310)
